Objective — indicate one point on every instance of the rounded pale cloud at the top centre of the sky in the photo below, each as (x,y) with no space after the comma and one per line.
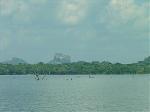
(72,11)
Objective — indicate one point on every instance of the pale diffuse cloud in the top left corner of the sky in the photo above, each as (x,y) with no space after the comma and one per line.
(19,9)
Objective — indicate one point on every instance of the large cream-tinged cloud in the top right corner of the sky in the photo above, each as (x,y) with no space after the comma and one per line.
(122,12)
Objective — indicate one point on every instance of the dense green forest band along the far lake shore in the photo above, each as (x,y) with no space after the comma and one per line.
(141,67)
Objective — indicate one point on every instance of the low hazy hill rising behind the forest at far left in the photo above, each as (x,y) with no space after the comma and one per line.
(15,61)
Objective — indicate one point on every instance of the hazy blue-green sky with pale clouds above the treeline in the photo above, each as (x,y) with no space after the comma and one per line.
(89,30)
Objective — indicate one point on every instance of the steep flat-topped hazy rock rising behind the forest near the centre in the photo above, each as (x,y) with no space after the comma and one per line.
(60,58)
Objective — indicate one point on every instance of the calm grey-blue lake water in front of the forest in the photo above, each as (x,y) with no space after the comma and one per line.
(104,93)
